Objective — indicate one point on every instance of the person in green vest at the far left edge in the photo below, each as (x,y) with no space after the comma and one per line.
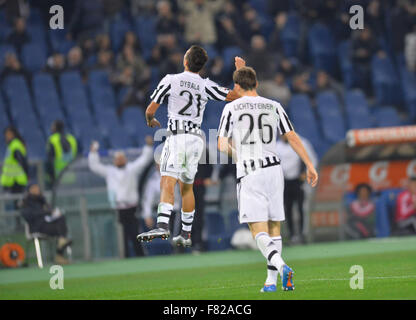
(14,176)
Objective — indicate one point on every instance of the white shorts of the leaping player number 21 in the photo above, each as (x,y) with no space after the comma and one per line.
(180,156)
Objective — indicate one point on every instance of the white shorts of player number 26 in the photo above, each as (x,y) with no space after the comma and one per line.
(260,195)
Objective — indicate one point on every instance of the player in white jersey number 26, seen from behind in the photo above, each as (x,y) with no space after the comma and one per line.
(248,132)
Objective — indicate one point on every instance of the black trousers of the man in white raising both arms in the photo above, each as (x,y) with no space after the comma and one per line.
(130,224)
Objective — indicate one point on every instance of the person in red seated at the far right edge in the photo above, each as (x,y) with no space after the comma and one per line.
(405,217)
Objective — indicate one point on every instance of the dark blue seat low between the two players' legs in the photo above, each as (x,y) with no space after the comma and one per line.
(218,239)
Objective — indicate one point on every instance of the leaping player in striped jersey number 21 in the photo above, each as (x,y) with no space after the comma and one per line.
(188,94)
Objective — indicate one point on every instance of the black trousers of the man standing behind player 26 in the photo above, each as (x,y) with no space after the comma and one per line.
(293,195)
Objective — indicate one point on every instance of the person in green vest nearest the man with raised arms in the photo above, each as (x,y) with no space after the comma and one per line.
(61,149)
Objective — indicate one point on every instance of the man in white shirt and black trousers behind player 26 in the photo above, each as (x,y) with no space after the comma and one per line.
(295,176)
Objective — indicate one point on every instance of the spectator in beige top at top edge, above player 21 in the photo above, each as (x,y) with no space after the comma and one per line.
(200,20)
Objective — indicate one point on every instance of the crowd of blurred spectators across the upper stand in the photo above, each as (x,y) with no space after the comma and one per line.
(217,24)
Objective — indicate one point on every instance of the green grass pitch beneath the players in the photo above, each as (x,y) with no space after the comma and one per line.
(321,272)
